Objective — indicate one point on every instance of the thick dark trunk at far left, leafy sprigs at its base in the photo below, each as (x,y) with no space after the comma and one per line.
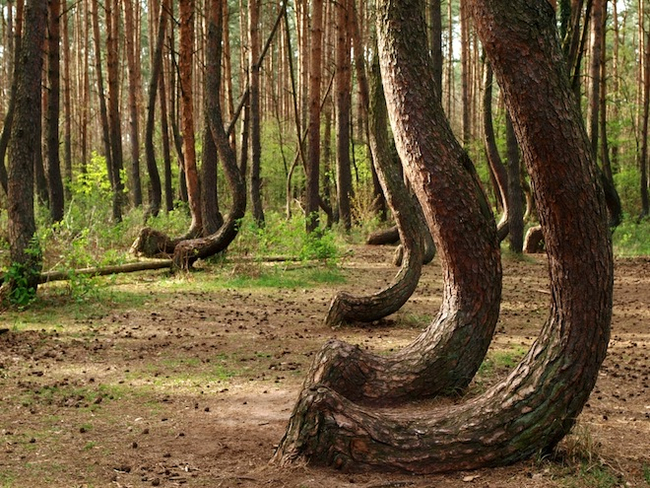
(24,143)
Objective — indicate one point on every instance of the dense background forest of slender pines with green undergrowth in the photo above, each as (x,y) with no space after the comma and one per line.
(114,132)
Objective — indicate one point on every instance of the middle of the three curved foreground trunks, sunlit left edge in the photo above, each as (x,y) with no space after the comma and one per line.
(448,353)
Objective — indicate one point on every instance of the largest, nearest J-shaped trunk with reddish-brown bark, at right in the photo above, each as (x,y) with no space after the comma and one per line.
(538,403)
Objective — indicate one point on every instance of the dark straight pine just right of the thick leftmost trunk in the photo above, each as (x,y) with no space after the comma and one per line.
(54,181)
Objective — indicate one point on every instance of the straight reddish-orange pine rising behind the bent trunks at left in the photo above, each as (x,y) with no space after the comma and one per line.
(185,66)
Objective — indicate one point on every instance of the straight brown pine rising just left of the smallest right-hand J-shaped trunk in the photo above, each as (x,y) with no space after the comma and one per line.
(344,12)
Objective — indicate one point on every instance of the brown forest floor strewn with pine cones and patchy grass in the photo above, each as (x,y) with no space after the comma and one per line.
(159,380)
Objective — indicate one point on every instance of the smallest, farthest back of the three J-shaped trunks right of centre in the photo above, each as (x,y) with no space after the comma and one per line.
(346,307)
